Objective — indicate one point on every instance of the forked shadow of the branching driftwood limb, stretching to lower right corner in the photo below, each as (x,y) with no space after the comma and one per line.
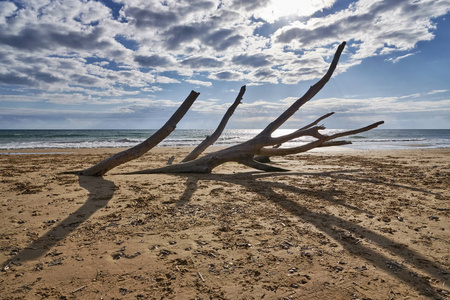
(333,227)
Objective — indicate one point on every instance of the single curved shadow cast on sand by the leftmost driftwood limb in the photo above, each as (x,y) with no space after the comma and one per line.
(100,192)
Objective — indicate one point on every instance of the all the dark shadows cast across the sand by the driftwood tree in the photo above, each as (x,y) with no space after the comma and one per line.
(101,192)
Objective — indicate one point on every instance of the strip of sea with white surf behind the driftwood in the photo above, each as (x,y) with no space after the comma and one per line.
(70,139)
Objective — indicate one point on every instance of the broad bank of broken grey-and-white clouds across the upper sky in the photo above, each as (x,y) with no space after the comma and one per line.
(87,46)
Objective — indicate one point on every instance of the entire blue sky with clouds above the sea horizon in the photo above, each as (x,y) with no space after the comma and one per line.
(128,64)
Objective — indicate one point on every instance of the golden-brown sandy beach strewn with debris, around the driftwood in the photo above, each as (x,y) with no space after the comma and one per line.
(340,225)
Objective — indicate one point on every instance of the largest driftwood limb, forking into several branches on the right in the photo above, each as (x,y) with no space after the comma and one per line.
(264,144)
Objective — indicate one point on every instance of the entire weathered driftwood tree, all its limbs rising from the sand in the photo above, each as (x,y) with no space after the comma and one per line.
(248,153)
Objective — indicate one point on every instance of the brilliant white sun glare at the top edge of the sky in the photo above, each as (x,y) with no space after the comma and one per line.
(284,8)
